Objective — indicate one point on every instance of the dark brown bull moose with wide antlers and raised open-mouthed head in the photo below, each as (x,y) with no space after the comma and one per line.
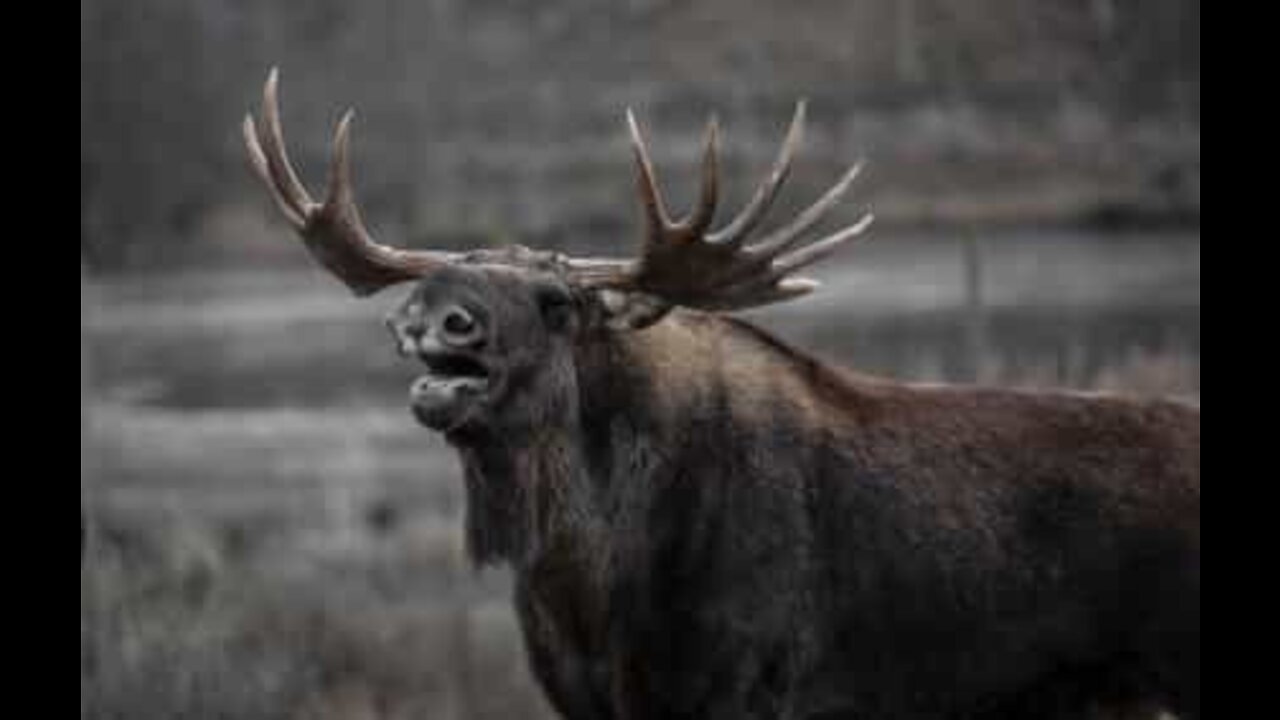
(705,522)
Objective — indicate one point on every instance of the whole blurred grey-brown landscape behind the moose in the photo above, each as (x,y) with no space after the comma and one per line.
(269,535)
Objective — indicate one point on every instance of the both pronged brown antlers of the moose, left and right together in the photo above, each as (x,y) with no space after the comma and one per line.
(682,263)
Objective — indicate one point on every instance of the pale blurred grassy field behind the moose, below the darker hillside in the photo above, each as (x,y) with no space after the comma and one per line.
(271,535)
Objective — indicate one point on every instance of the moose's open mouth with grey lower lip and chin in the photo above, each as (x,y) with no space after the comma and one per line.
(442,399)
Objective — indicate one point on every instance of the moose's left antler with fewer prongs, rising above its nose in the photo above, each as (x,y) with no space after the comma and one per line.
(332,231)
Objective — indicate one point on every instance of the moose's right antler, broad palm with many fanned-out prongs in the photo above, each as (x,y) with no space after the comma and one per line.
(684,265)
